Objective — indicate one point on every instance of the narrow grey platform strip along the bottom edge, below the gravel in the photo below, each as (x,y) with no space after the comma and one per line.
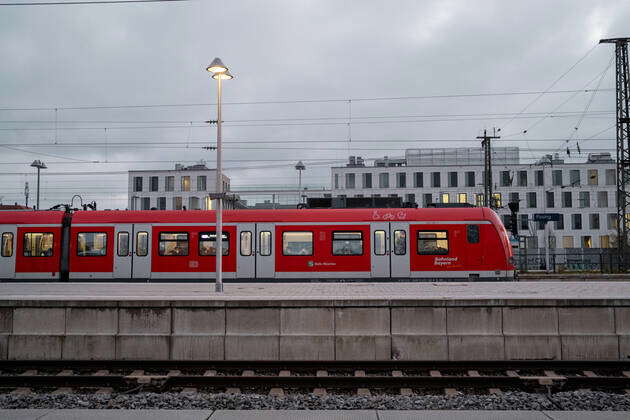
(307,415)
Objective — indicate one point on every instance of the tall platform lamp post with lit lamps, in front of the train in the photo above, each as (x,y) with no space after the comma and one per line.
(219,73)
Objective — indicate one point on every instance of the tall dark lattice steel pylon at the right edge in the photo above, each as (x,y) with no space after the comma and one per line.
(623,145)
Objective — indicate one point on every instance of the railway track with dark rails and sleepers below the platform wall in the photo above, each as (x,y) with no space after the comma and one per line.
(276,378)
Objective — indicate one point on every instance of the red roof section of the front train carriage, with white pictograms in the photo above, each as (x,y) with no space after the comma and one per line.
(291,215)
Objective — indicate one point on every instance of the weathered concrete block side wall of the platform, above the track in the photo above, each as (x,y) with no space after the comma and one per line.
(316,330)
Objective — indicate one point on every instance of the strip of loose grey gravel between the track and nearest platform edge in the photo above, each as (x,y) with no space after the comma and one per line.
(578,400)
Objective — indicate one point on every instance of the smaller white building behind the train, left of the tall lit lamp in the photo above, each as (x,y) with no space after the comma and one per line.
(184,187)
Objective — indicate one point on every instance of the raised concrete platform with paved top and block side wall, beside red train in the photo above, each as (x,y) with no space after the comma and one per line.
(316,321)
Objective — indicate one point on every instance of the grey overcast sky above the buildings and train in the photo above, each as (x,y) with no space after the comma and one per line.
(348,55)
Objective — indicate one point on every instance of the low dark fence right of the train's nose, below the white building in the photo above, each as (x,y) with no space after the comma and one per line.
(585,260)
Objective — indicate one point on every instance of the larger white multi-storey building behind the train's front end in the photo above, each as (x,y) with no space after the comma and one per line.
(582,193)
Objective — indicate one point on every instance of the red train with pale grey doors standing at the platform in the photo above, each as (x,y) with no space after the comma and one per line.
(340,244)
